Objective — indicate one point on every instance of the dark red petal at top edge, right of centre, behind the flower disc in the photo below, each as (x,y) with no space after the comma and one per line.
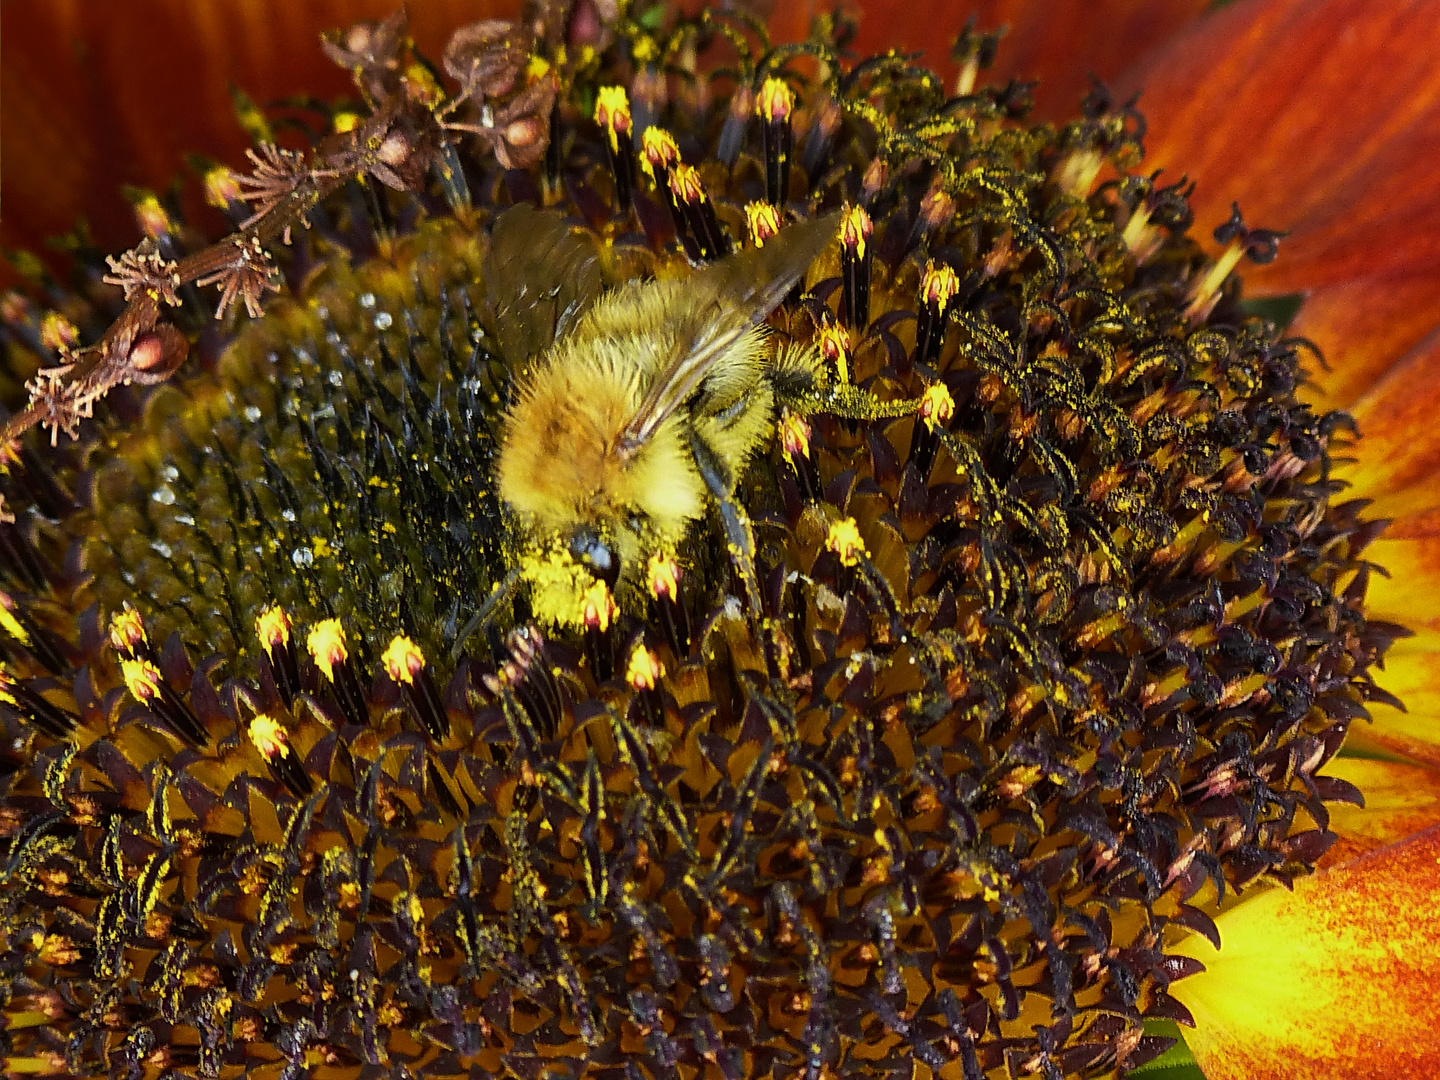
(1056,44)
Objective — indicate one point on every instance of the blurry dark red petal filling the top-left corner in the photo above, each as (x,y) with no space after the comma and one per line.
(96,94)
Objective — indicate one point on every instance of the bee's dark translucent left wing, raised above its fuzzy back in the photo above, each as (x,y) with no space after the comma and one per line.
(541,277)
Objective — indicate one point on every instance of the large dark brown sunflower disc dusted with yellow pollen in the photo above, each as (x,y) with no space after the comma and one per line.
(1016,650)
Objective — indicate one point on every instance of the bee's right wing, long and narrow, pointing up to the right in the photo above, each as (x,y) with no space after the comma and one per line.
(729,299)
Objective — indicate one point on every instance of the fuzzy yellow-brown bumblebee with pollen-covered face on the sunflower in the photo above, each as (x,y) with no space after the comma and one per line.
(637,408)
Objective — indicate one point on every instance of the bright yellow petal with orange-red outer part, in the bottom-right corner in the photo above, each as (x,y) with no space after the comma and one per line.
(1336,981)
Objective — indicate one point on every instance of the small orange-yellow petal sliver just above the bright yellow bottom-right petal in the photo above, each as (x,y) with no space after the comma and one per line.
(1400,801)
